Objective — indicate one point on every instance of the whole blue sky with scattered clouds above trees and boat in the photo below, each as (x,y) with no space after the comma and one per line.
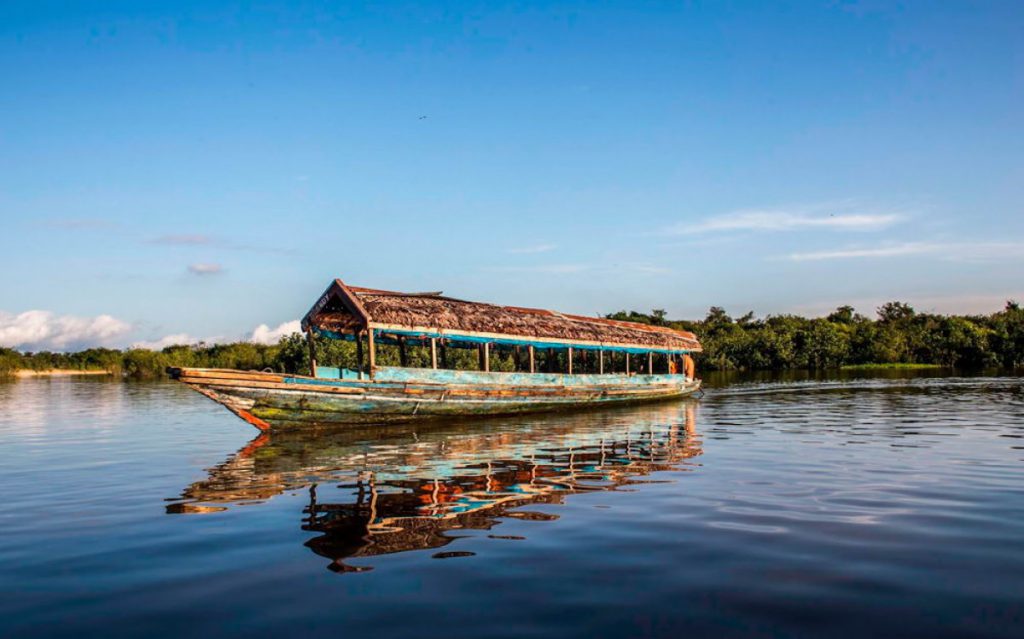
(198,169)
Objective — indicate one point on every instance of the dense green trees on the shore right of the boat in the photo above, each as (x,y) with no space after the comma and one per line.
(899,336)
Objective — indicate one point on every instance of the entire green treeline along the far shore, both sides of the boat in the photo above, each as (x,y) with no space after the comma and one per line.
(899,335)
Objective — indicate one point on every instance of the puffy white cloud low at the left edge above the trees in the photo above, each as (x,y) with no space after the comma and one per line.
(42,330)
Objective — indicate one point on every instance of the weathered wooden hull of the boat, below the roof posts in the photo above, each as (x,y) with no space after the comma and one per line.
(289,402)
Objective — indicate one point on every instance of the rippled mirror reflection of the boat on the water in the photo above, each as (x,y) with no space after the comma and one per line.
(405,489)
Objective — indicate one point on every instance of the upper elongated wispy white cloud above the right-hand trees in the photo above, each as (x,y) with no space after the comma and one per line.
(841,217)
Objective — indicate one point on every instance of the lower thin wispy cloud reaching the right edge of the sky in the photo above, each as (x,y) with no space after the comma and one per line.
(952,251)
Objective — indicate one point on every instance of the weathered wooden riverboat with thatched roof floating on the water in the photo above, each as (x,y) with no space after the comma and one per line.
(372,394)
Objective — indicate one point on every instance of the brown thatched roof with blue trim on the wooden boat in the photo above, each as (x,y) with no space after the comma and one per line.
(347,310)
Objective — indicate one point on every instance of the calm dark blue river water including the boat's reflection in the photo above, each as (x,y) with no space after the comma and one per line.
(848,508)
